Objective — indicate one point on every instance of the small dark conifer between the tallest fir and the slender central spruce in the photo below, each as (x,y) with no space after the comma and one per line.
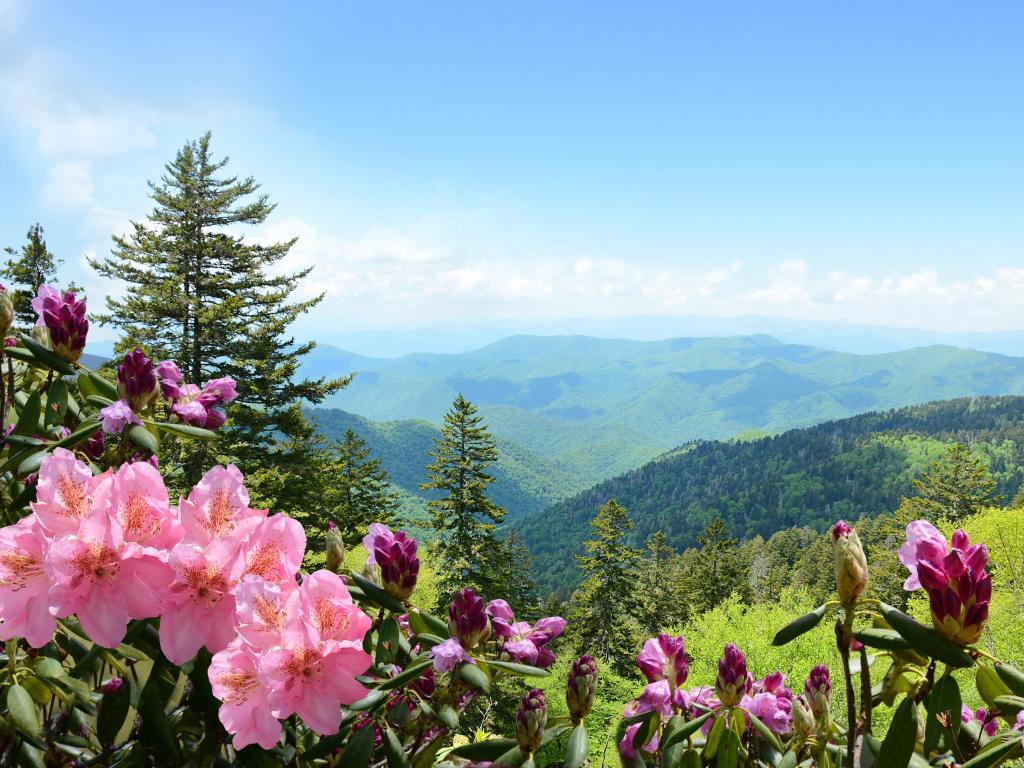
(360,493)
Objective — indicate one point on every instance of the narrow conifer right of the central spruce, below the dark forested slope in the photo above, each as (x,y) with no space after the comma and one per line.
(606,606)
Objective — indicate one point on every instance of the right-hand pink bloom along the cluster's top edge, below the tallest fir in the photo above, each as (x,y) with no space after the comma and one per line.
(219,507)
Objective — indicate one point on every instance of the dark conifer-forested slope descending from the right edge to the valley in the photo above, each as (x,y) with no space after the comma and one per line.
(840,470)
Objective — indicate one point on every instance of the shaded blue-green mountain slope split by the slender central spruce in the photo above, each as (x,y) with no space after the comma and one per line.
(525,483)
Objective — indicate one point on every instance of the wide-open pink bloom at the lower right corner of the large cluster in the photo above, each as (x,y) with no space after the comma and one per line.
(313,678)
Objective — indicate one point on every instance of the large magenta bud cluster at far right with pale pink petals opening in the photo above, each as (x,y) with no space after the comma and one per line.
(953,575)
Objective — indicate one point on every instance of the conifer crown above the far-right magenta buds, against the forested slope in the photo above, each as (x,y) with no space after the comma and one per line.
(954,488)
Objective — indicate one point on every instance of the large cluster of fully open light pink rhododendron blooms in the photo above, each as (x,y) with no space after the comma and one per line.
(111,549)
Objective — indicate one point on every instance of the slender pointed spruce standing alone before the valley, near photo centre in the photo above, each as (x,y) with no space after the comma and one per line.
(463,519)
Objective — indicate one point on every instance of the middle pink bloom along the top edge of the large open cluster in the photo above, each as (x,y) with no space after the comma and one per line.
(137,499)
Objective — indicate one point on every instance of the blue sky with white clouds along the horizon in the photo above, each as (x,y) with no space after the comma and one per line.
(458,163)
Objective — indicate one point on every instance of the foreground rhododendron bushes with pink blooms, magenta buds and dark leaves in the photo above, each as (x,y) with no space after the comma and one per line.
(142,629)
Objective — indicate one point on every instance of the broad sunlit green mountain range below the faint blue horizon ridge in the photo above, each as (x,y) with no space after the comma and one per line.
(604,406)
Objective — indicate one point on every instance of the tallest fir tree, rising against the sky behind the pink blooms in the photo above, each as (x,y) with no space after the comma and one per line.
(200,294)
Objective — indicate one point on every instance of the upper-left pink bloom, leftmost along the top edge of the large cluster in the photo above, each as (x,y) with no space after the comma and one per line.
(64,494)
